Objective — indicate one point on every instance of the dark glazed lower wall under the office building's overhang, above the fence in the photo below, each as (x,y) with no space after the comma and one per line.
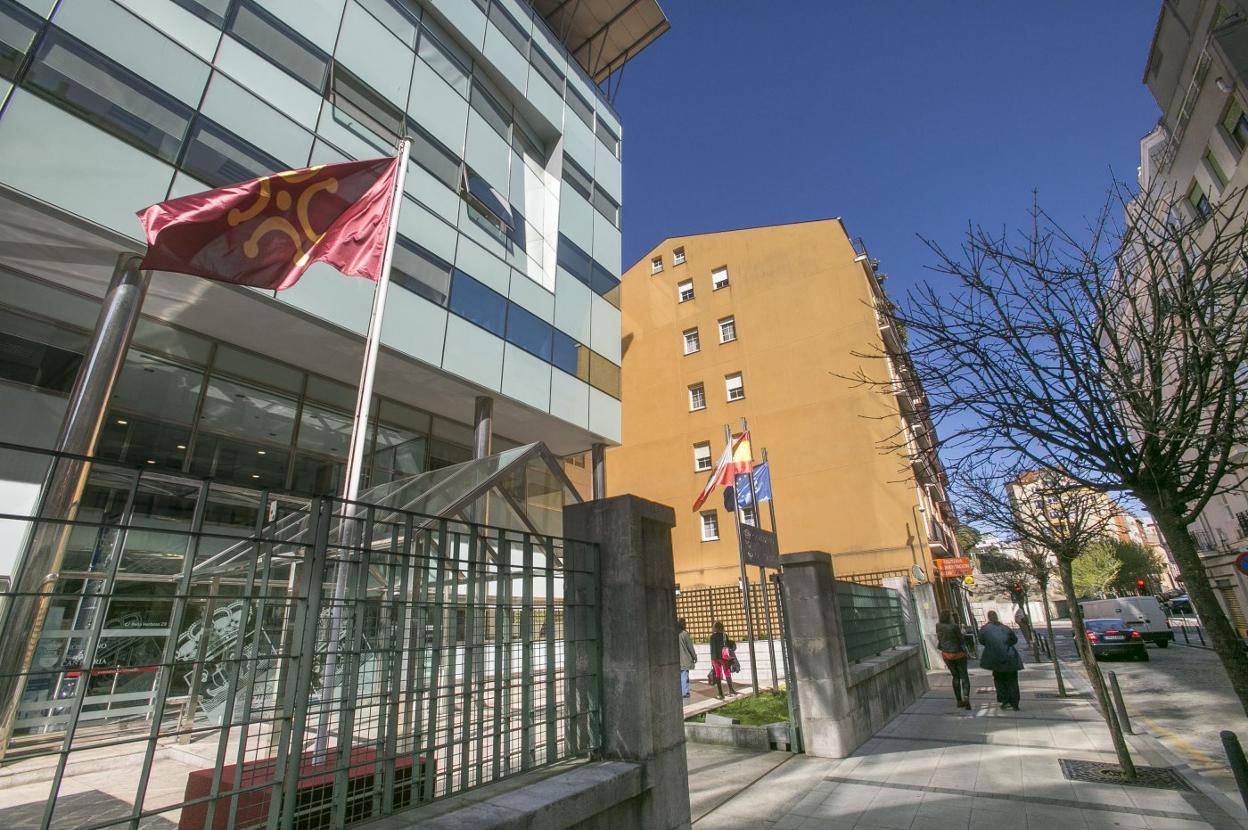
(184,404)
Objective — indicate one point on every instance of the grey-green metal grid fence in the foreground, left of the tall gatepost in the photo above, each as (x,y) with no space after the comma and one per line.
(215,657)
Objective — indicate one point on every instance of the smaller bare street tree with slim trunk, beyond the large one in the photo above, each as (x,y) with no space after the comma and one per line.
(1053,520)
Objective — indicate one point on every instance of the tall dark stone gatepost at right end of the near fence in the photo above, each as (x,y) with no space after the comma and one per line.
(642,717)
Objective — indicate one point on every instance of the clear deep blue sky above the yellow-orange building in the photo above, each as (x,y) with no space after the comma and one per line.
(902,117)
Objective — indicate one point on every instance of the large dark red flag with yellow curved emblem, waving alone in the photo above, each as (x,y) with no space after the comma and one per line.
(268,232)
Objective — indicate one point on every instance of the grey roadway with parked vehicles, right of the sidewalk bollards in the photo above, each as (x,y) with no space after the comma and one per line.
(1181,696)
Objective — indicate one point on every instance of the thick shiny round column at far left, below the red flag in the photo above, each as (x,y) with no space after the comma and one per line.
(38,570)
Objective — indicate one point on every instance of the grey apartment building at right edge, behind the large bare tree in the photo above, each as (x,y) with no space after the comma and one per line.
(1197,71)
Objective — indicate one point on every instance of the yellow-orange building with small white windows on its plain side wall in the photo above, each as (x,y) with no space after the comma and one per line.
(766,324)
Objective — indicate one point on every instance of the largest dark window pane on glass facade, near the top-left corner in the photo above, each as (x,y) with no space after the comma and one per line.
(108,95)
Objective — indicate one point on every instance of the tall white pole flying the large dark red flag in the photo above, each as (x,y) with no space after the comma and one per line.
(356,457)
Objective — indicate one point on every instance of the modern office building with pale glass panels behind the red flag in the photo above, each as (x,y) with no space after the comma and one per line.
(506,275)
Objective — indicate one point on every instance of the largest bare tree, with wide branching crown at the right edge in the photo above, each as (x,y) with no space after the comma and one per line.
(1116,356)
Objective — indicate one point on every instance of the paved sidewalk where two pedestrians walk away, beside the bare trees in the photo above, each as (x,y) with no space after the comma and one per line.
(935,767)
